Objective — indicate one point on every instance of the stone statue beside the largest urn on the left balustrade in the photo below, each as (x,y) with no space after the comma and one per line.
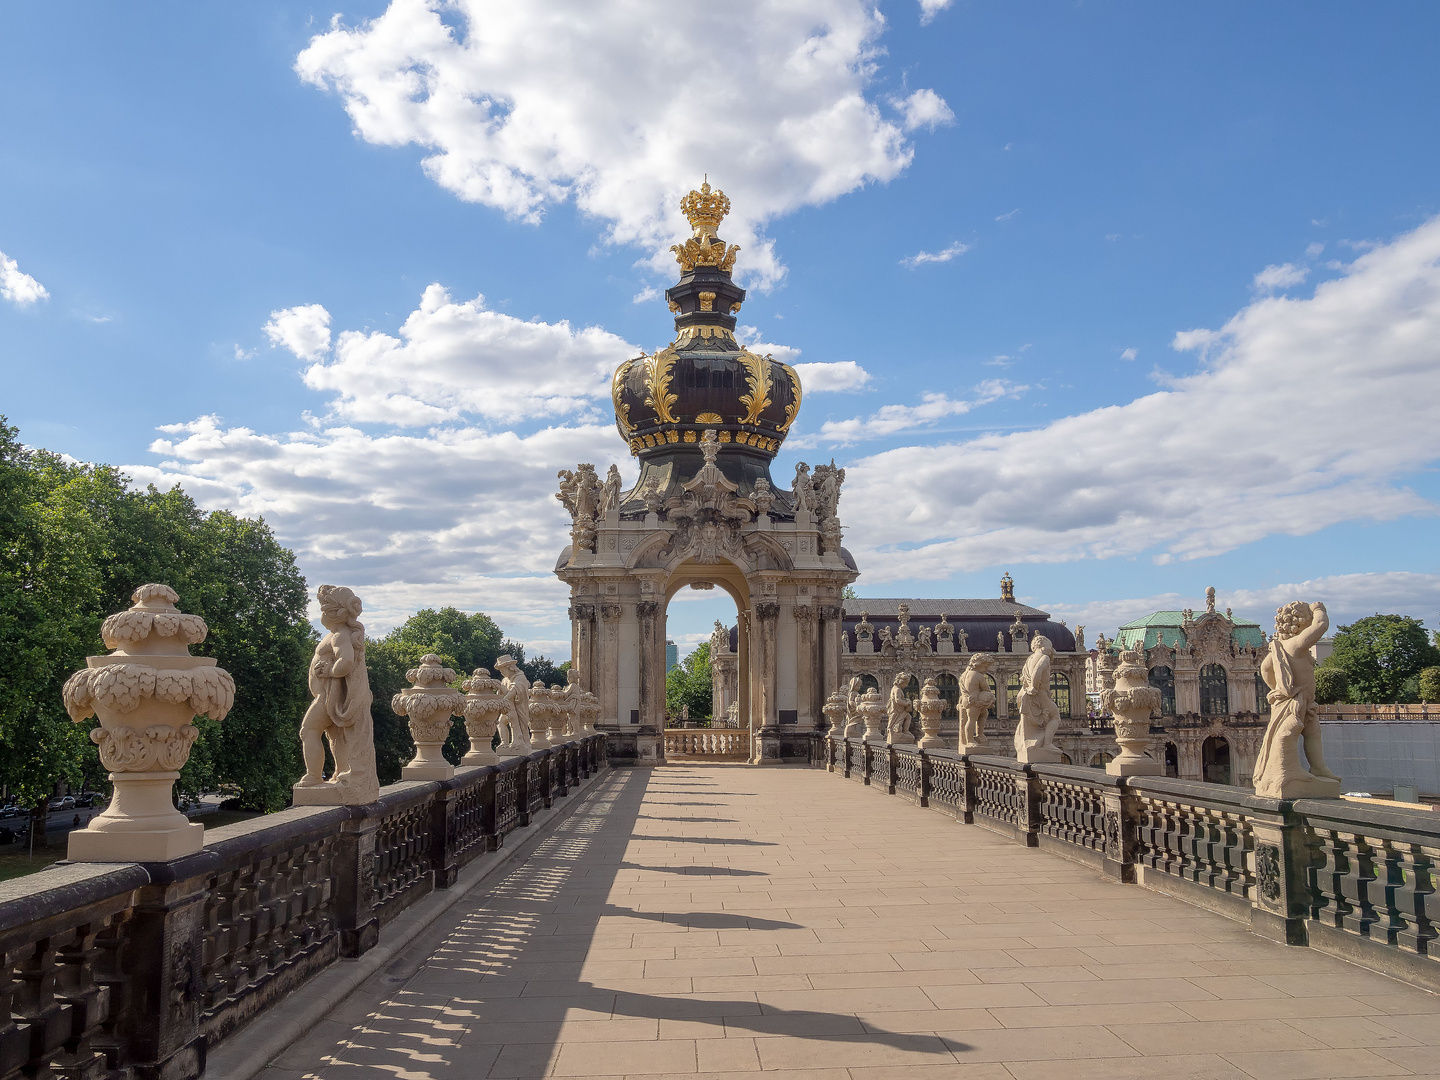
(341,712)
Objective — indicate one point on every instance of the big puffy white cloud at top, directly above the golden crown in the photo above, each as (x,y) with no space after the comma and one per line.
(623,107)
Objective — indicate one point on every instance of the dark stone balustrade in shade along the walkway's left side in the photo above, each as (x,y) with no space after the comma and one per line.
(140,968)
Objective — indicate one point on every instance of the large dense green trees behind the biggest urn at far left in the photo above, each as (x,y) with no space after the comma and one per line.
(76,541)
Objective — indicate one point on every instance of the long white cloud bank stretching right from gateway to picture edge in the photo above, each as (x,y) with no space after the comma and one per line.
(1305,413)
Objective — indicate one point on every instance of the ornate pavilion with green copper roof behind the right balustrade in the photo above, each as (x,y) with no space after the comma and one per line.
(1213,702)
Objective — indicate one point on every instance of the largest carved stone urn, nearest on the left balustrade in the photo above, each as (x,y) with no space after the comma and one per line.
(146,693)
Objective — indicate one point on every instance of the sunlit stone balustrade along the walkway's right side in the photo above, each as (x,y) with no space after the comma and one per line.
(1349,879)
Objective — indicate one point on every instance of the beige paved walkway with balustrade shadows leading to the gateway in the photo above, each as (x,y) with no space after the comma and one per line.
(729,921)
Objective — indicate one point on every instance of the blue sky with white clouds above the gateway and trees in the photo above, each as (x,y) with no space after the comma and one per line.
(1095,181)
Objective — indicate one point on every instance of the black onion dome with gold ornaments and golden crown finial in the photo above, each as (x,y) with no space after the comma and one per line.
(706,379)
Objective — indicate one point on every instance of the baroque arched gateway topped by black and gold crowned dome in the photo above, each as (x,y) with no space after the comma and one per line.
(706,418)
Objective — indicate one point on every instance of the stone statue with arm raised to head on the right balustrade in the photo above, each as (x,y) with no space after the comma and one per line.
(1290,672)
